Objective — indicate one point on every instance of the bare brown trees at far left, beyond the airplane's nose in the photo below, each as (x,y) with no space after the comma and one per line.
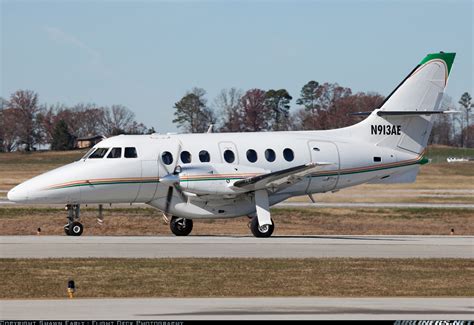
(25,123)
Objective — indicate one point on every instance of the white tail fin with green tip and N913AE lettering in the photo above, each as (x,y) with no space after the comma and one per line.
(404,120)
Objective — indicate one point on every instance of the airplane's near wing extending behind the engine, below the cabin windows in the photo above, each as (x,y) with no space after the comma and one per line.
(280,179)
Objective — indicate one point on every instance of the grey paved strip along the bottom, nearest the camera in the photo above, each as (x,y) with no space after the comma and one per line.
(240,308)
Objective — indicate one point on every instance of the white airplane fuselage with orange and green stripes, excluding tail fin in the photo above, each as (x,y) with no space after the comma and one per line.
(209,187)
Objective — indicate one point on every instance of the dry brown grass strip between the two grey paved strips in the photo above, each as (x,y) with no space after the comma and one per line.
(187,277)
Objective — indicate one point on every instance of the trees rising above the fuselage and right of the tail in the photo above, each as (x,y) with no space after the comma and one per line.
(319,107)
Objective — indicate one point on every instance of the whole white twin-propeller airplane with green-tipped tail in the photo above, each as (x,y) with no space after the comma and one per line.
(226,175)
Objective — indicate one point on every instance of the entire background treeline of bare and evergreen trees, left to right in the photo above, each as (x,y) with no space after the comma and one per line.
(25,123)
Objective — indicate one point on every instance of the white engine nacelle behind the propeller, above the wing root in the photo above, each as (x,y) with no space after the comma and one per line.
(214,178)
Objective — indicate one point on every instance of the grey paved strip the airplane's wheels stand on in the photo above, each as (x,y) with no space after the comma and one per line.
(237,247)
